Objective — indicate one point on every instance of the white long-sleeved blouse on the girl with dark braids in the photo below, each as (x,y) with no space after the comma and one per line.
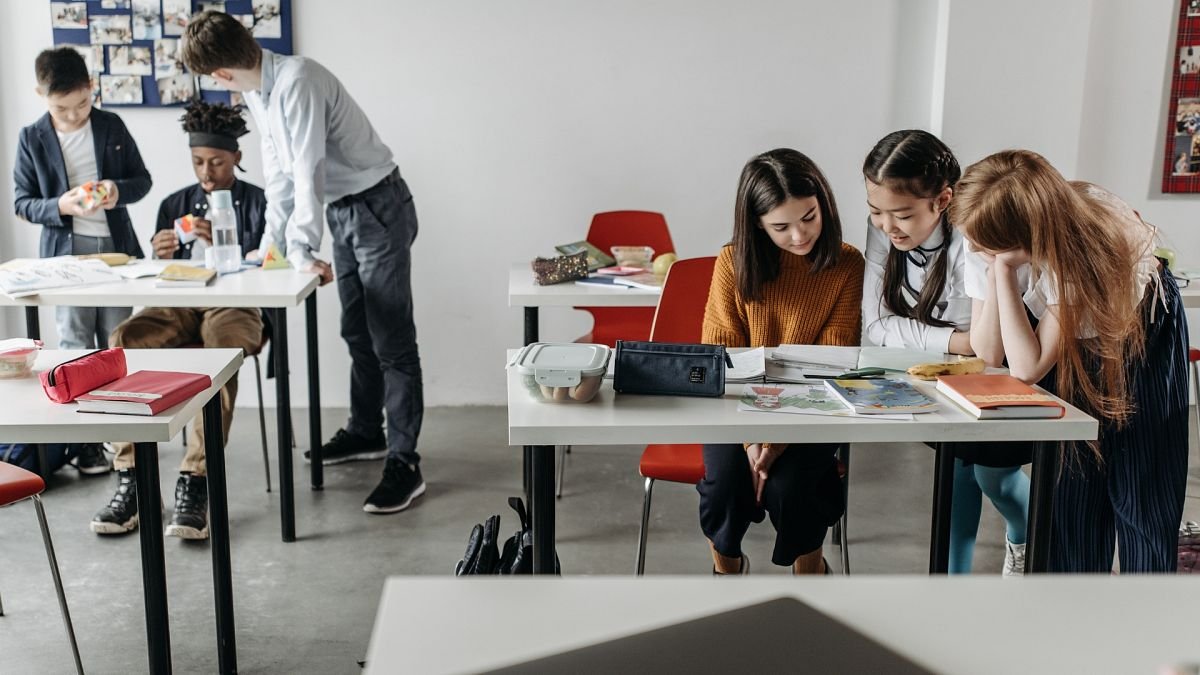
(887,330)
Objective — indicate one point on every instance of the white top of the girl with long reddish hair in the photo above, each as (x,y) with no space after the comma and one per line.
(1043,292)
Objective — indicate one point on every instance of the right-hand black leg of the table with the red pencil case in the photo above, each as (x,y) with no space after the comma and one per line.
(219,525)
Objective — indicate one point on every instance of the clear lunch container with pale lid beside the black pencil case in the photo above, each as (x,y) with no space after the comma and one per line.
(563,373)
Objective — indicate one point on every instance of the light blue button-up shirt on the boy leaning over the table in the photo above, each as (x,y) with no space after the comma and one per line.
(319,147)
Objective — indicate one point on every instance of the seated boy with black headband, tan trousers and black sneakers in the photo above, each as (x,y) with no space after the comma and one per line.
(213,135)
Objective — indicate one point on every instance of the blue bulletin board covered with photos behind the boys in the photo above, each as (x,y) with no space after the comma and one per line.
(133,46)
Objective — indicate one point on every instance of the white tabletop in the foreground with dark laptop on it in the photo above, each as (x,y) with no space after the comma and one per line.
(980,625)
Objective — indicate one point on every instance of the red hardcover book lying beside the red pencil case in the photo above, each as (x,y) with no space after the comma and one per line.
(146,392)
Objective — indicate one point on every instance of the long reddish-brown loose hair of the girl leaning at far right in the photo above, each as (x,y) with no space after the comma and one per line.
(1016,200)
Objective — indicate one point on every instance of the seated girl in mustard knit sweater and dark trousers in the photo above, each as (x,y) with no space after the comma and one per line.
(788,278)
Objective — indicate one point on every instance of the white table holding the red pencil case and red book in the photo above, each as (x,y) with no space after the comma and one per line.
(28,416)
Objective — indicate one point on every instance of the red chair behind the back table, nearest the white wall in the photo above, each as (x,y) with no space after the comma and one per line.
(626,229)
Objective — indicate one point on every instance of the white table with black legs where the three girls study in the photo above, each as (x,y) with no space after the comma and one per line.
(629,420)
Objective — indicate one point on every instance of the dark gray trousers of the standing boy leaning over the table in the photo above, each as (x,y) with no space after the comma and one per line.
(374,234)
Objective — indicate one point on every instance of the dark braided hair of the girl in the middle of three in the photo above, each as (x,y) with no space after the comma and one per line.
(917,164)
